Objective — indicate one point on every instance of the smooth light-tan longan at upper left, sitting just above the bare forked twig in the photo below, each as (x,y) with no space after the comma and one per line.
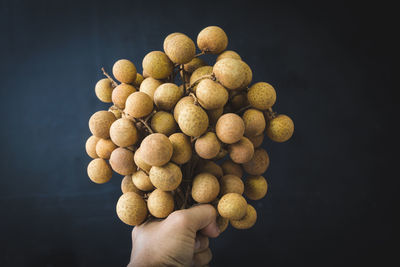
(138,105)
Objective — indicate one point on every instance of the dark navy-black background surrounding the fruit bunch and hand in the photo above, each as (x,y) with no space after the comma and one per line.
(332,187)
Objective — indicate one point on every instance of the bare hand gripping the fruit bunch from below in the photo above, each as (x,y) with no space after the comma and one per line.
(179,240)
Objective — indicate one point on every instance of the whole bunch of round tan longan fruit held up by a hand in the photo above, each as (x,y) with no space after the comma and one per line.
(185,132)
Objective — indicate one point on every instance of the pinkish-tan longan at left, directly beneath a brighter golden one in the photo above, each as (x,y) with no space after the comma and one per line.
(121,161)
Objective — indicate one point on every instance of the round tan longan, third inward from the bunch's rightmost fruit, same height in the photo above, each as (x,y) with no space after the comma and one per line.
(230,128)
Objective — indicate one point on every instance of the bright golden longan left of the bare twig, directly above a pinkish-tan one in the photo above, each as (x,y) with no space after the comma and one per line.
(124,133)
